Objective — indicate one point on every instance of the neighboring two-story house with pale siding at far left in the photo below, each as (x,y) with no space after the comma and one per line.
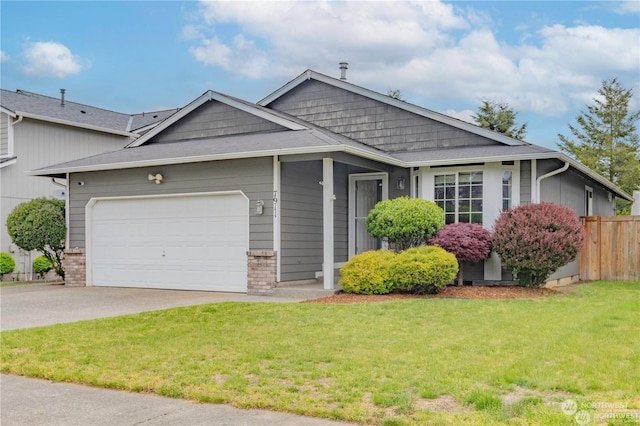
(37,130)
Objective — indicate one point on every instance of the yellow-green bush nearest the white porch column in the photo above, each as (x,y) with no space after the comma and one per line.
(367,273)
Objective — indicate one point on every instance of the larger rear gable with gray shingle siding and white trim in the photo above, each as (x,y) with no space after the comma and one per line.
(373,118)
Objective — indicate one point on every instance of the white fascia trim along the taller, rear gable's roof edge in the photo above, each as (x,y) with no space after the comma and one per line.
(415,109)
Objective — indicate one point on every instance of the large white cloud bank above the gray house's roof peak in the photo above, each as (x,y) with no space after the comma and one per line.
(428,48)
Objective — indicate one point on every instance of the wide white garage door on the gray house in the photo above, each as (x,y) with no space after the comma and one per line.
(185,242)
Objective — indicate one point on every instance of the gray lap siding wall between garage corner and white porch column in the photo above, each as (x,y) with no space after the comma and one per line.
(301,220)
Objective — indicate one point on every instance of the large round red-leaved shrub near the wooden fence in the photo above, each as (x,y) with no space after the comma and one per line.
(534,240)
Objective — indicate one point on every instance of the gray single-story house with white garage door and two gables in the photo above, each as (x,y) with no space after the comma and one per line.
(279,191)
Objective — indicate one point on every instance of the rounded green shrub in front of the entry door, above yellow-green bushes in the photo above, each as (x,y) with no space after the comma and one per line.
(405,222)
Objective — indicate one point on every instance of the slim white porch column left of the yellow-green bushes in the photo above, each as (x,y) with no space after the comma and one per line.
(327,221)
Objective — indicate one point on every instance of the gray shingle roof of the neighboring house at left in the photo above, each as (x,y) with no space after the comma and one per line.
(79,114)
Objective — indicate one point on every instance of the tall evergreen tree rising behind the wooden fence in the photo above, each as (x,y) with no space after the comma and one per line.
(606,140)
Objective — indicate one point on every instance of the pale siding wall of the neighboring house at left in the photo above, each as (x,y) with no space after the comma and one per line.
(38,144)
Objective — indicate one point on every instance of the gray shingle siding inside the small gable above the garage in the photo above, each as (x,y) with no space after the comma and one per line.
(215,119)
